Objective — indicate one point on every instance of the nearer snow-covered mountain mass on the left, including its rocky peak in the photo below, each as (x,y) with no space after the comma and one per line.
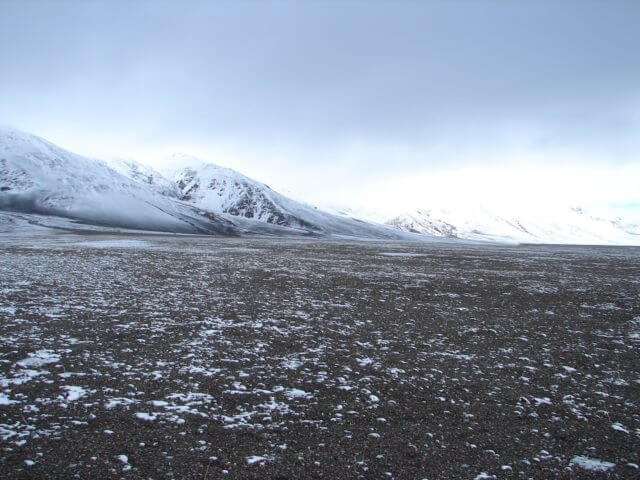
(39,178)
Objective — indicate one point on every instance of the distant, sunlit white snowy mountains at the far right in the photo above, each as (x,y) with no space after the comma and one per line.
(559,225)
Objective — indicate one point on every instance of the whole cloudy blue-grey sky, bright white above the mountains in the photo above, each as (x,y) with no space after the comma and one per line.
(349,103)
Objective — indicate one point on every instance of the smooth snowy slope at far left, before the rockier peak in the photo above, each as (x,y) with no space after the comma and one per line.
(38,177)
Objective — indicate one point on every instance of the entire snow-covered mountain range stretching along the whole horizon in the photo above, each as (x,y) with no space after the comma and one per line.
(38,178)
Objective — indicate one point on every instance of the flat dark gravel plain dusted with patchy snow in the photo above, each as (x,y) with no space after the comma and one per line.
(142,356)
